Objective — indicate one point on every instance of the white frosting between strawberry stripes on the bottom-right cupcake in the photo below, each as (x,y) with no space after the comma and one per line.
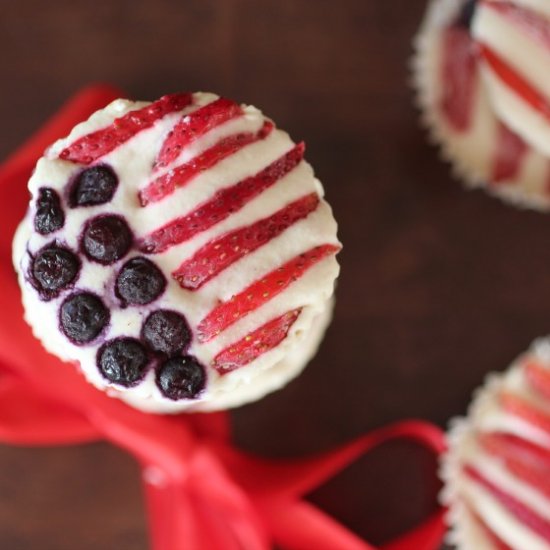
(464,495)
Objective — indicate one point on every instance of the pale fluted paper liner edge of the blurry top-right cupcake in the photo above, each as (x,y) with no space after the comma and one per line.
(529,189)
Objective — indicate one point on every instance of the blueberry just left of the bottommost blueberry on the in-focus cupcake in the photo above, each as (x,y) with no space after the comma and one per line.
(122,361)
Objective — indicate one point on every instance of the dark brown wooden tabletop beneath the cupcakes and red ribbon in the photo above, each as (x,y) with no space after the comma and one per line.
(438,285)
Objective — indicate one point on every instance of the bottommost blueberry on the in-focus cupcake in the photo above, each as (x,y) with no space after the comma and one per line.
(181,378)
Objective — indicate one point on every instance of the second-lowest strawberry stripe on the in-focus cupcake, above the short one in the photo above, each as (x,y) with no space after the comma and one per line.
(260,292)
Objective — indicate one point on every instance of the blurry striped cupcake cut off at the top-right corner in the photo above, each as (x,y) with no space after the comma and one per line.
(482,74)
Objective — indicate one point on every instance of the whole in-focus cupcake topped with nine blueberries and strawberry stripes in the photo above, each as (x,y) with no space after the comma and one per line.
(180,252)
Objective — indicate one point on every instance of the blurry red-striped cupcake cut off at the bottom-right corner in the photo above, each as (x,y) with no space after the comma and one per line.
(497,469)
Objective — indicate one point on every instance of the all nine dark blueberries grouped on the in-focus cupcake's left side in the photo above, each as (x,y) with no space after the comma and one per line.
(106,239)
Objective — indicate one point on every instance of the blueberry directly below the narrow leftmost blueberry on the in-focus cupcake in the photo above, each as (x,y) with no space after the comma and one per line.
(53,269)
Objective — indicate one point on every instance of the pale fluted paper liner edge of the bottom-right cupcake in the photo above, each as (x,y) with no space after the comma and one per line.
(462,527)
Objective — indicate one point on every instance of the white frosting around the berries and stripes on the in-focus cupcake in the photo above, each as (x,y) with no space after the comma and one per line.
(132,162)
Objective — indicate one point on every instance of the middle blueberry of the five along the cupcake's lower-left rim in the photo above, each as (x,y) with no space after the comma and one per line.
(83,316)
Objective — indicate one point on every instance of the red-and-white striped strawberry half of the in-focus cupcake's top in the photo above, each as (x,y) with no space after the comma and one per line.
(224,203)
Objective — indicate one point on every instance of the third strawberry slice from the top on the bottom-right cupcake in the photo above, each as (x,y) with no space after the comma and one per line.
(525,460)
